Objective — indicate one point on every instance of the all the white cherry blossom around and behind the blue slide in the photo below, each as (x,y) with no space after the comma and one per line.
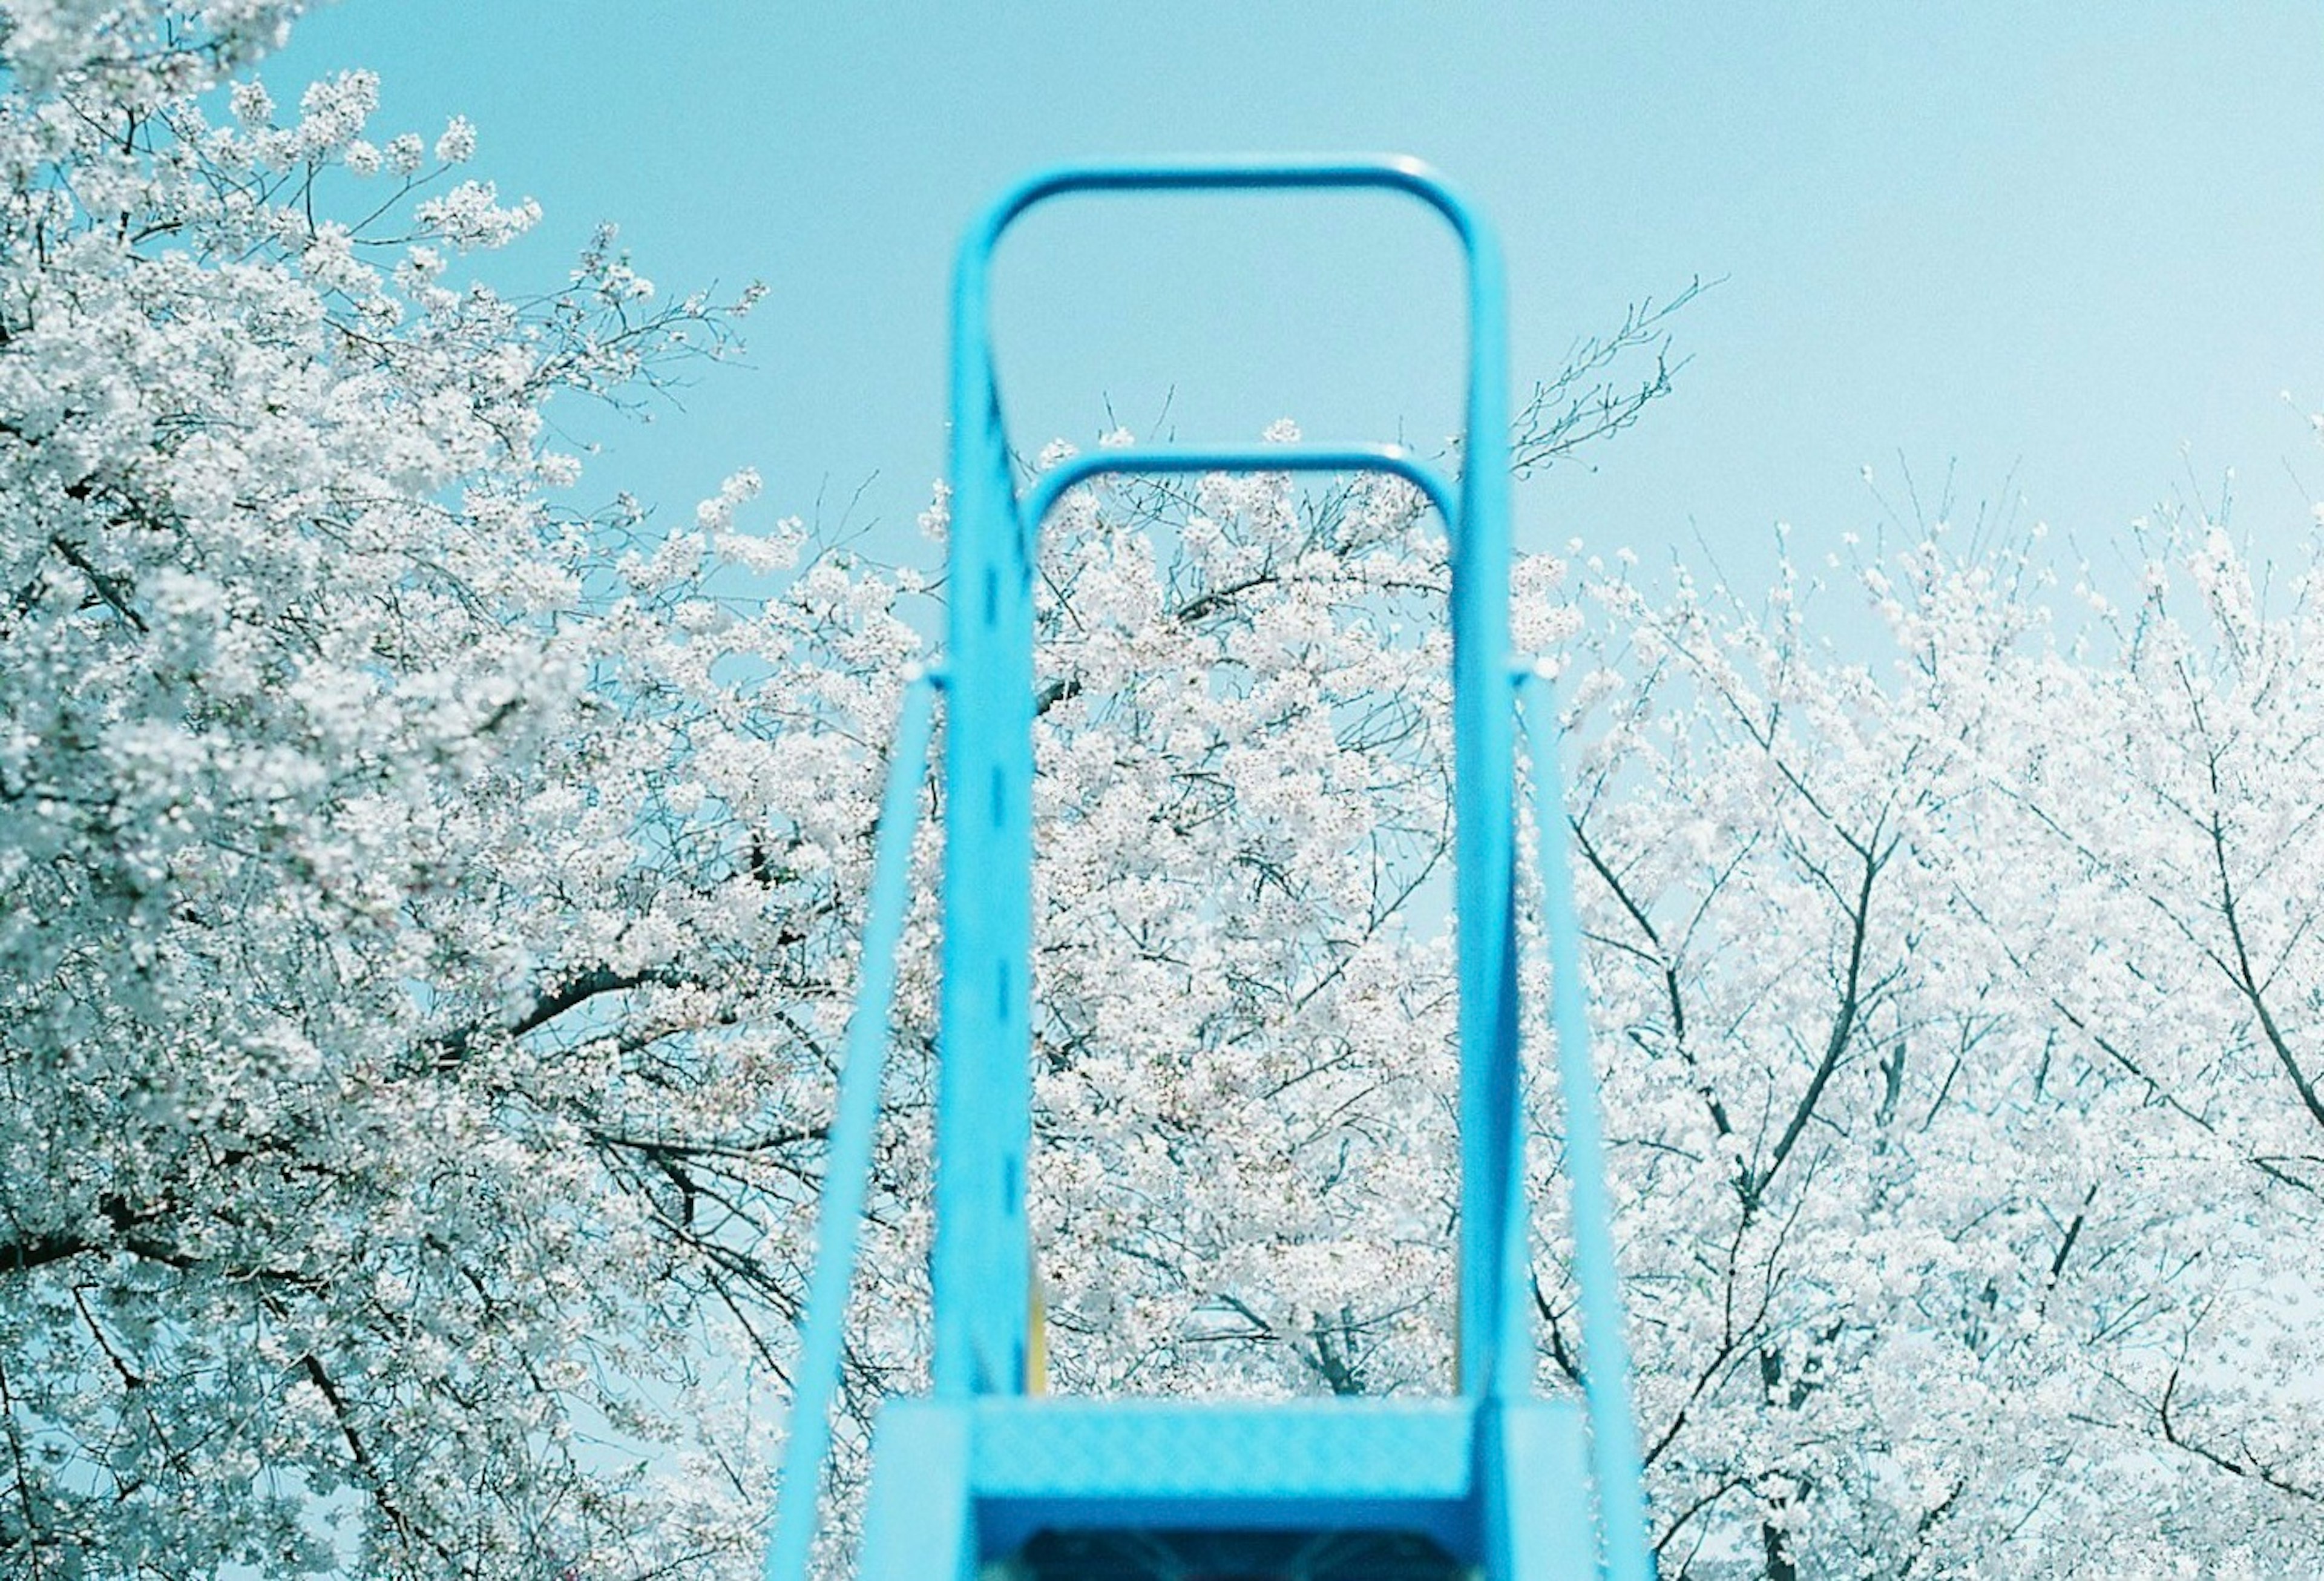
(431,910)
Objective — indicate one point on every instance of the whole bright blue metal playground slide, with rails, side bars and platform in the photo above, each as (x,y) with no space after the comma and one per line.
(1500,1482)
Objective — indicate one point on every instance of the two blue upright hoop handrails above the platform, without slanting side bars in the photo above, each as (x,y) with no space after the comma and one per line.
(982,1250)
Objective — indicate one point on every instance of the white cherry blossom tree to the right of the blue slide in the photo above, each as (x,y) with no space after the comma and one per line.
(1951,1010)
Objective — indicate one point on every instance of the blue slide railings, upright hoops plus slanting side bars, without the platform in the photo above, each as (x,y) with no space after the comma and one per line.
(982,1257)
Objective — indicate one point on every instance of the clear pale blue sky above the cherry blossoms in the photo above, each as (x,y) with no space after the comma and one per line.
(2076,245)
